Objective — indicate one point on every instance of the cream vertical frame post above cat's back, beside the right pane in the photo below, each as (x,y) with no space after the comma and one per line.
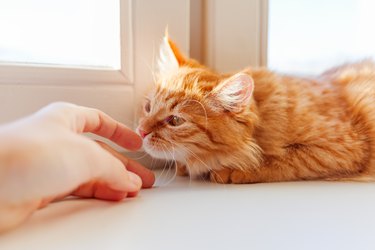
(230,23)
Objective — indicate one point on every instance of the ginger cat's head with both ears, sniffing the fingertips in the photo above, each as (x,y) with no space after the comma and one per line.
(193,113)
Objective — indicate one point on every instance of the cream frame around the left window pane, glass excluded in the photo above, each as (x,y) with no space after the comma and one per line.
(26,88)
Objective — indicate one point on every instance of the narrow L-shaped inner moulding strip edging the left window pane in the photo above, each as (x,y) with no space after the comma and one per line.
(72,75)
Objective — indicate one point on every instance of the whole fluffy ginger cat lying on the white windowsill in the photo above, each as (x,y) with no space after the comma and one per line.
(259,126)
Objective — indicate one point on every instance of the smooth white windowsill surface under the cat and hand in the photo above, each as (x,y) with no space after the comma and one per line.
(198,215)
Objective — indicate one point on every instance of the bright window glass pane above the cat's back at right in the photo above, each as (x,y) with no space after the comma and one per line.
(309,36)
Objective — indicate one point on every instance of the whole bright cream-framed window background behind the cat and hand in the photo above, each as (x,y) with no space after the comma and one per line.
(101,53)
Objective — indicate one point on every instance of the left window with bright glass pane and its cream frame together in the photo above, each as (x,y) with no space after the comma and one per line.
(95,53)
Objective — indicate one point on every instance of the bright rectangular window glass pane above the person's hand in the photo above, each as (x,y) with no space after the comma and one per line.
(60,32)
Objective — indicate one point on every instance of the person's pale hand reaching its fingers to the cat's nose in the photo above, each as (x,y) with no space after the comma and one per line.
(44,157)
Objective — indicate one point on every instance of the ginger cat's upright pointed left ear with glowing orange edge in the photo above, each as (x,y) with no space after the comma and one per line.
(170,57)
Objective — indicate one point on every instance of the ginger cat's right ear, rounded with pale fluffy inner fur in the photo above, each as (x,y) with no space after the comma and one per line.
(234,93)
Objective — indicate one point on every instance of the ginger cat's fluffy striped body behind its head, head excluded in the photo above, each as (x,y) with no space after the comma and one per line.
(320,128)
